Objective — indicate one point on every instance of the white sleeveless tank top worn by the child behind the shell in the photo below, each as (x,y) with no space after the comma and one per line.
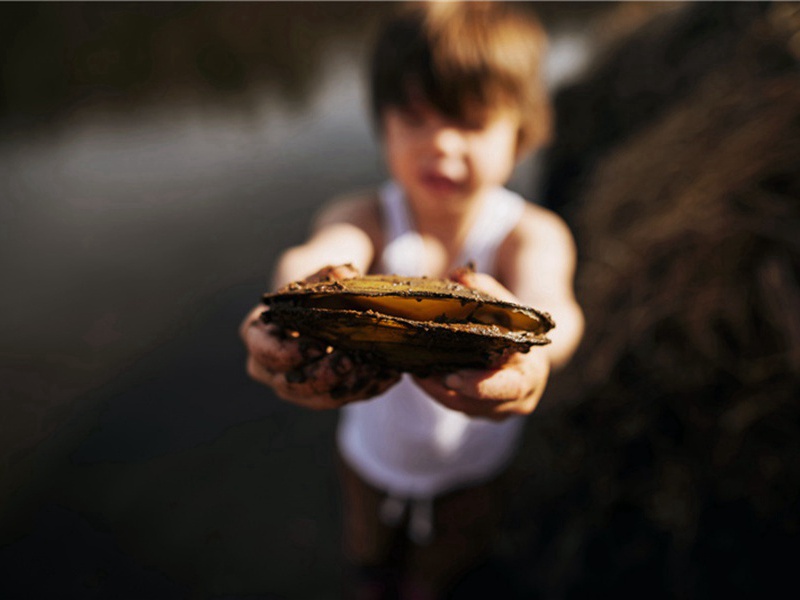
(402,441)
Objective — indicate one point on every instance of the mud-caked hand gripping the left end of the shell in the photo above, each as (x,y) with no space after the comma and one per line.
(306,371)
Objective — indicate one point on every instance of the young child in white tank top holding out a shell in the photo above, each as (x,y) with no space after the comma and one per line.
(458,100)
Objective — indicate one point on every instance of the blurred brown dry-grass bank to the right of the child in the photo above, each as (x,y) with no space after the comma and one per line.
(666,464)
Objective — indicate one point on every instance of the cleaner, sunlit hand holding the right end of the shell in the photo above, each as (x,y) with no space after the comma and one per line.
(514,386)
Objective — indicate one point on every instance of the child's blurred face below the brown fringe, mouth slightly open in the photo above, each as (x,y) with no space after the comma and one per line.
(437,158)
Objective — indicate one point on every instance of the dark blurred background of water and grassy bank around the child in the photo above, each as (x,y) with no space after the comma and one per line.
(155,158)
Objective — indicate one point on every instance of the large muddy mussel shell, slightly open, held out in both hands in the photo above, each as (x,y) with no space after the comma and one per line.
(415,324)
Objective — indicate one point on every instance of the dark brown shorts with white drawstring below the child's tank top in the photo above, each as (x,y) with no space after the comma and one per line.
(465,524)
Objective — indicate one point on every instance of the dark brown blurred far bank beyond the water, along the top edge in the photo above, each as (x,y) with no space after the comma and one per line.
(57,55)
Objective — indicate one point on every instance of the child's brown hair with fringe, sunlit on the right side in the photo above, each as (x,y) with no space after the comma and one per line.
(462,57)
